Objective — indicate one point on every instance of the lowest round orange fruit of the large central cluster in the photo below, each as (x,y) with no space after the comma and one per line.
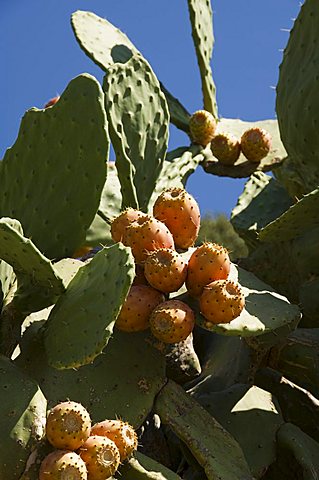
(172,321)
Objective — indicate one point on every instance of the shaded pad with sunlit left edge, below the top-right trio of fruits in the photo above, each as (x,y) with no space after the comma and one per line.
(263,200)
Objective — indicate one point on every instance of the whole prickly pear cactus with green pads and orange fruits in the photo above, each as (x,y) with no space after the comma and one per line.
(212,362)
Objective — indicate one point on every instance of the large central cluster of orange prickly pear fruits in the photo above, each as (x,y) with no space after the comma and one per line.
(155,241)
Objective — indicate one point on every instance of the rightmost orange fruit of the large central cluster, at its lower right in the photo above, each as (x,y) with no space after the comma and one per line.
(221,302)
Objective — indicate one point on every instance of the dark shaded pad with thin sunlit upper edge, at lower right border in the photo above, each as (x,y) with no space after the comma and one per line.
(298,406)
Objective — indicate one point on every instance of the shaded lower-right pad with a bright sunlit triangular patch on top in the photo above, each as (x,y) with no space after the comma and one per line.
(243,405)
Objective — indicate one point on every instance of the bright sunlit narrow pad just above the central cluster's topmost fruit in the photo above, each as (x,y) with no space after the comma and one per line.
(178,165)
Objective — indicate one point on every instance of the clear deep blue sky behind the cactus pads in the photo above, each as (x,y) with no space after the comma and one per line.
(39,56)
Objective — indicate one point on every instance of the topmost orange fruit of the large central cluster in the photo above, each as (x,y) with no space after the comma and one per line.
(180,212)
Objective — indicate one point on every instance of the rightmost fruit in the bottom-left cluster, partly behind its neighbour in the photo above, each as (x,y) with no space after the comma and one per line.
(122,434)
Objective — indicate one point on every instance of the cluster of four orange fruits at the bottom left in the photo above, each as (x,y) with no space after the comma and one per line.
(83,450)
